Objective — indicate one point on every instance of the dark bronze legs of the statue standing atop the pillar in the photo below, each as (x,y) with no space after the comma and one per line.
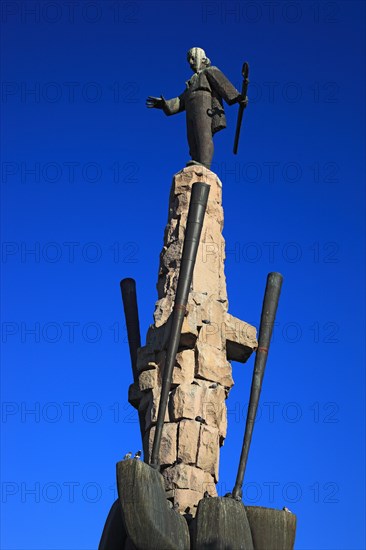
(199,127)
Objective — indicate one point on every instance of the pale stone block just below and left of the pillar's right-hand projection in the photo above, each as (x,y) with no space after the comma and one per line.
(213,365)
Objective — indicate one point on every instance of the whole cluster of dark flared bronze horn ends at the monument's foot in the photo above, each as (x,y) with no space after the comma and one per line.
(143,519)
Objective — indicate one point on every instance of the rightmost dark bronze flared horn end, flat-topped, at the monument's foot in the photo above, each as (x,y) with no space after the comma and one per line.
(271,528)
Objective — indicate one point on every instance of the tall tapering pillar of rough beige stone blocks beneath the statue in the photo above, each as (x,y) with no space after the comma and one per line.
(195,422)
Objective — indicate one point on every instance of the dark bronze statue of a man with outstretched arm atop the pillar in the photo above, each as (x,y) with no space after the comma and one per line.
(202,101)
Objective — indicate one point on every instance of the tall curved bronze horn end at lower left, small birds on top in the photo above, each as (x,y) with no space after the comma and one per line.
(148,520)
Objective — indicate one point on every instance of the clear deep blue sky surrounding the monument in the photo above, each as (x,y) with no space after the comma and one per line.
(86,173)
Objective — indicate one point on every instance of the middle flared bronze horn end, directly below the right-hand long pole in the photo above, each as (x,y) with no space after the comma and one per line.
(221,524)
